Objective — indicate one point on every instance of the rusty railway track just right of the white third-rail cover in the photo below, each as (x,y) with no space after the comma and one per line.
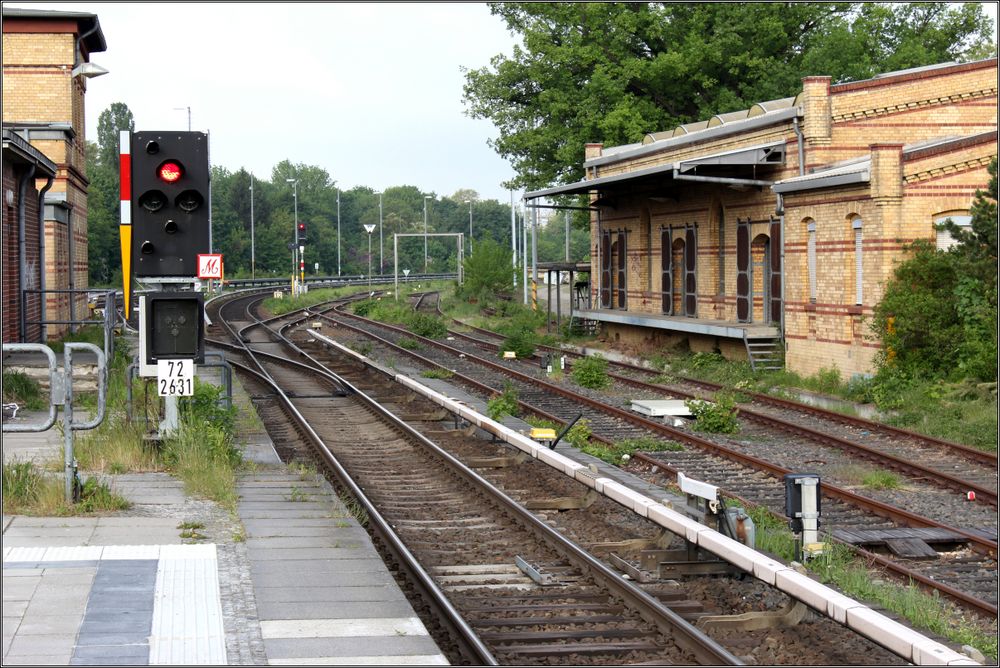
(967,575)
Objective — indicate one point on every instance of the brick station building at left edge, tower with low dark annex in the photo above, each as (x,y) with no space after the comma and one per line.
(46,63)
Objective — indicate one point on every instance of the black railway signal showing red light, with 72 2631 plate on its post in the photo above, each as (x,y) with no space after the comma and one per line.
(166,239)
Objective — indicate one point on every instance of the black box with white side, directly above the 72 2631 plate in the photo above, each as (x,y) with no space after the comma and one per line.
(172,326)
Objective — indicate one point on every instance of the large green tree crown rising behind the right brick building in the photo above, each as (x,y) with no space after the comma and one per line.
(612,72)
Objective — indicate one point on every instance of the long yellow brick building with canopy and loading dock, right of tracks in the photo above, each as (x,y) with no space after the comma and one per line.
(775,228)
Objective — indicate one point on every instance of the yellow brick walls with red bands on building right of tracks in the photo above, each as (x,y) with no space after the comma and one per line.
(899,204)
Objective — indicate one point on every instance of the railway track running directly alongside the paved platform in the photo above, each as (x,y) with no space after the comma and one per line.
(532,596)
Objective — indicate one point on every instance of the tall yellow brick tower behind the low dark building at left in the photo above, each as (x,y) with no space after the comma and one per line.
(46,64)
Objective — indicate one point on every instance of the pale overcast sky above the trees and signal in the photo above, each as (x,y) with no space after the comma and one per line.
(370,92)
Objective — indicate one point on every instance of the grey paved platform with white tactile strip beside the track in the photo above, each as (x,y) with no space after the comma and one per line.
(293,580)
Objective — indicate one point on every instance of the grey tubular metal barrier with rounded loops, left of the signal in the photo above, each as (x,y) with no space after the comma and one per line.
(61,392)
